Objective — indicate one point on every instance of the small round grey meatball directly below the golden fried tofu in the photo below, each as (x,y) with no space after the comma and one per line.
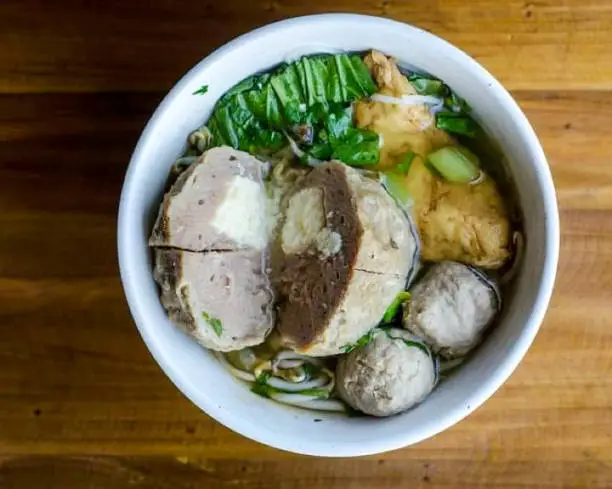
(451,307)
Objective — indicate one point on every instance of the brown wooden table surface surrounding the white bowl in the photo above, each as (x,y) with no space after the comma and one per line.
(82,404)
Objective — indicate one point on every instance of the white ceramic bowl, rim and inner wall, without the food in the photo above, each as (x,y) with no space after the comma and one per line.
(198,375)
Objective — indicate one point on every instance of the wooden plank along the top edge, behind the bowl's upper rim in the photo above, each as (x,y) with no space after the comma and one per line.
(145,46)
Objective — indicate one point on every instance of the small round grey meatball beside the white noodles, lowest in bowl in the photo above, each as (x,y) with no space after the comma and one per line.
(390,374)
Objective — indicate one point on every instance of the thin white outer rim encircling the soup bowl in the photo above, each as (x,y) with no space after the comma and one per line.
(509,362)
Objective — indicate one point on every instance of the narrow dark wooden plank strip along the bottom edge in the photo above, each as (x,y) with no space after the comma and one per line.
(182,473)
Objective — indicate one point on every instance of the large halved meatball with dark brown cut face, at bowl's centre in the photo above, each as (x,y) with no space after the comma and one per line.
(345,250)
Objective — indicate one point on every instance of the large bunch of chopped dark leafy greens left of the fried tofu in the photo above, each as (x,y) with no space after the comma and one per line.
(314,92)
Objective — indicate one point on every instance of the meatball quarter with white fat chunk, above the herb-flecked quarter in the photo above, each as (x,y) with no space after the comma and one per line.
(218,203)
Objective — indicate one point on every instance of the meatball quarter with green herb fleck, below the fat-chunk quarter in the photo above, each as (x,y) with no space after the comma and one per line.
(223,300)
